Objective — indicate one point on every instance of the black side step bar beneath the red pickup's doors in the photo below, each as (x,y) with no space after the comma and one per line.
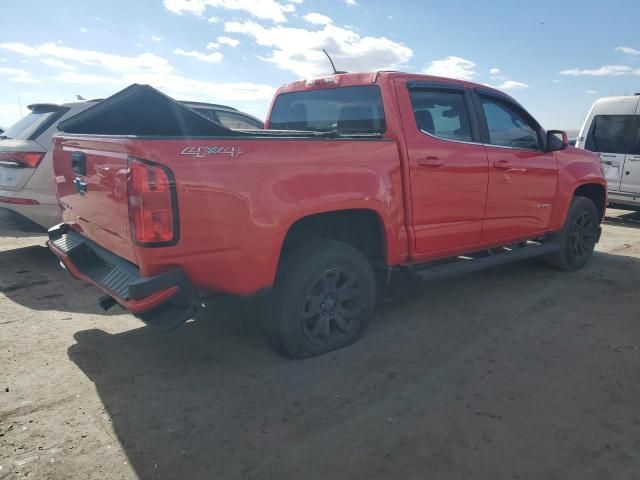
(462,265)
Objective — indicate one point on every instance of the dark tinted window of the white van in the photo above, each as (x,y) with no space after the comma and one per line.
(614,134)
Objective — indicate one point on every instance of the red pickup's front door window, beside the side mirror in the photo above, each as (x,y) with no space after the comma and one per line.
(508,126)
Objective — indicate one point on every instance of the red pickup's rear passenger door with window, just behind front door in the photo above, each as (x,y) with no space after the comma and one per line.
(447,167)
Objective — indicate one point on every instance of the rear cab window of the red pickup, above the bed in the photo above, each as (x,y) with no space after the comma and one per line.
(347,110)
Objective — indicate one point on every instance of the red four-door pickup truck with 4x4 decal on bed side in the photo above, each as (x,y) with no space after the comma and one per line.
(356,175)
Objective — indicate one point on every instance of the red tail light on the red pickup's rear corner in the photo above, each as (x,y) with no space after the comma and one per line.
(153,211)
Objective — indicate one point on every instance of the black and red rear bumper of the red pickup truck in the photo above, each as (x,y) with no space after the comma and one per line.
(148,297)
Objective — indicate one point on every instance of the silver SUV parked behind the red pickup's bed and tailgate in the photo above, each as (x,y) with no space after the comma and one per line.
(27,189)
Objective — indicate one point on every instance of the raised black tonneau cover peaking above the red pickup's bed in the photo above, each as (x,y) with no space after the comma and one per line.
(142,110)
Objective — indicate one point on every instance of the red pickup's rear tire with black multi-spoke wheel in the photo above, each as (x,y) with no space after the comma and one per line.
(323,299)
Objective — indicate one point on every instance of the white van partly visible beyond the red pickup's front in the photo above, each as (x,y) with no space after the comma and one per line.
(612,129)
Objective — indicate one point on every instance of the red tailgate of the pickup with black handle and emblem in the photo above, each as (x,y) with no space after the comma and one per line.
(91,178)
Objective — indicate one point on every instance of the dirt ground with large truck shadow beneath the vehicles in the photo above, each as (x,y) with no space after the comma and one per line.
(521,372)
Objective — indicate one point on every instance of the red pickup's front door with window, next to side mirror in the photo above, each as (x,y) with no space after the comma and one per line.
(522,176)
